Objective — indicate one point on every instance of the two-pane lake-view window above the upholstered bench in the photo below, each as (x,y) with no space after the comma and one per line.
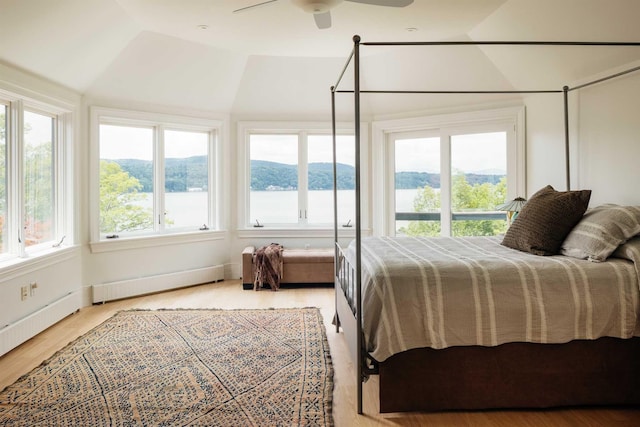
(290,178)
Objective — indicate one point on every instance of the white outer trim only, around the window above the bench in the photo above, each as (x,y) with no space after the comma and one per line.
(244,130)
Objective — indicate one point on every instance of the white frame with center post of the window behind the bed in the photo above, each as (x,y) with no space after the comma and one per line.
(444,126)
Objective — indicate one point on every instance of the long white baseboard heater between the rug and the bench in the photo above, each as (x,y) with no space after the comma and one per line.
(150,284)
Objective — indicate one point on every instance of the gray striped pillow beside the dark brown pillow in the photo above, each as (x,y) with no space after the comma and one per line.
(600,231)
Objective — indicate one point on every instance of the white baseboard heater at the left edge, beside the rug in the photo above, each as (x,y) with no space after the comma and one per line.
(26,328)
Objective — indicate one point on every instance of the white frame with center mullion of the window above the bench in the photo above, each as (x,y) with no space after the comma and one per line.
(301,228)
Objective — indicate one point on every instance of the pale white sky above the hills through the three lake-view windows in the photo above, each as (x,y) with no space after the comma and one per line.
(469,153)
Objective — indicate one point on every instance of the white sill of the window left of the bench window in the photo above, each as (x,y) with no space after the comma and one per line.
(125,243)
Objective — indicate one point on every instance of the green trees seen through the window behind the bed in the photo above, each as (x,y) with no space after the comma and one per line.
(464,198)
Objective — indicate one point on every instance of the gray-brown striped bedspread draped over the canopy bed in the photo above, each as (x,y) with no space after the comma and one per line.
(443,292)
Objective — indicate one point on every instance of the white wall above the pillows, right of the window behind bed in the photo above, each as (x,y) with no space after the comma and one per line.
(604,140)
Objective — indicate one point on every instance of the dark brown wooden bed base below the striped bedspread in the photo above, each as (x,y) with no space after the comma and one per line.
(605,371)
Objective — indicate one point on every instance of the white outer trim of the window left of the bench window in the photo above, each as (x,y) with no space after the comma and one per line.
(171,236)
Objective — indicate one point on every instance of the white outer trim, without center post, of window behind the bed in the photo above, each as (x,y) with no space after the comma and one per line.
(383,206)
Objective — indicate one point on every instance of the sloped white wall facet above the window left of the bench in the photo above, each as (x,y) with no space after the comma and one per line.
(167,71)
